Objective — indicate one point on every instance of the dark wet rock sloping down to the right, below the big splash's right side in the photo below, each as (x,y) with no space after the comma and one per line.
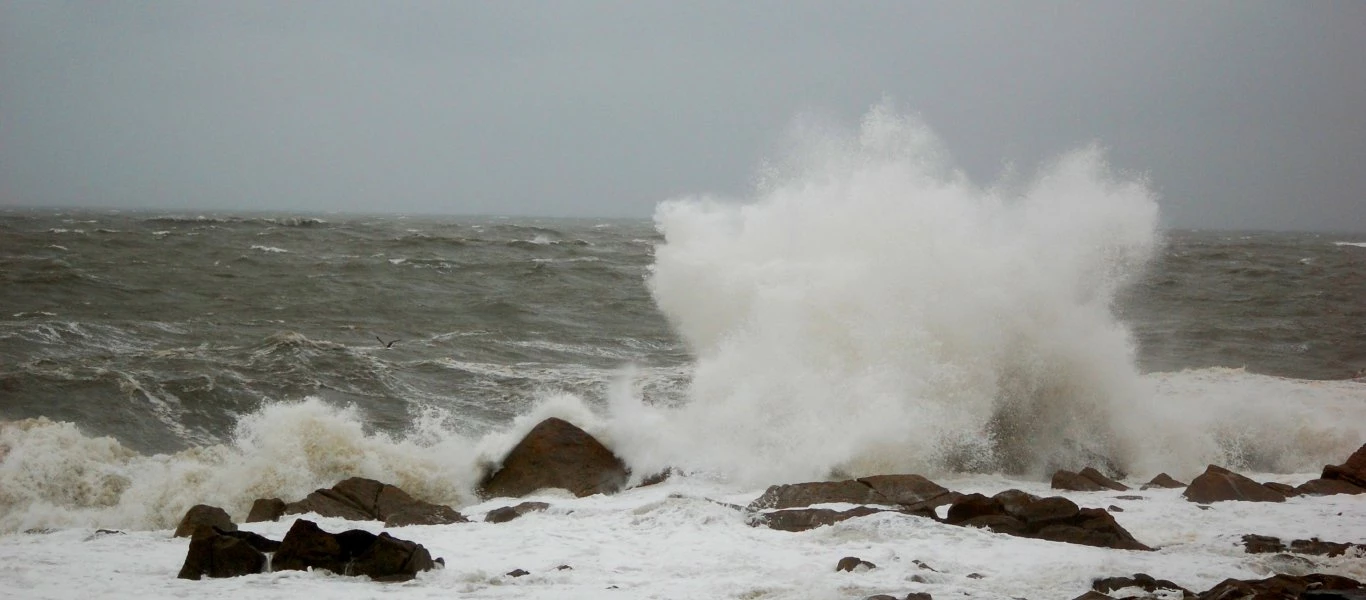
(1047,519)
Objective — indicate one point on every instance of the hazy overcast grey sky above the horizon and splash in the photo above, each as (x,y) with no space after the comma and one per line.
(1245,115)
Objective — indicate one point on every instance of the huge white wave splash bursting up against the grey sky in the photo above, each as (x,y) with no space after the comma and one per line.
(871,310)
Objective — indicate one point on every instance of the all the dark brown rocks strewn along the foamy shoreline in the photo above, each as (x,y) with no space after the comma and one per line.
(557,454)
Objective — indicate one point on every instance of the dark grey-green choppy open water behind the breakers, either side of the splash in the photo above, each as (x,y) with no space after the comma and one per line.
(162,330)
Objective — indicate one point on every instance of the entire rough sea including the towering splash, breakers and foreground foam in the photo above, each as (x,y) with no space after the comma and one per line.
(863,311)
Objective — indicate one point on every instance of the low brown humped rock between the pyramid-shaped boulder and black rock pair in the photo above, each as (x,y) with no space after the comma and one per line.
(363,500)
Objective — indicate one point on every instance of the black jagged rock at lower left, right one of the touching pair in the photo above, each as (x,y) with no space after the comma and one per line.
(354,553)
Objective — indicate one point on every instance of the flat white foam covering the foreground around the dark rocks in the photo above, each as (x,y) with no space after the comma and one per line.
(673,542)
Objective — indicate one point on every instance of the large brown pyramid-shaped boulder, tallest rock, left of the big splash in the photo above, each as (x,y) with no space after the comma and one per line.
(557,454)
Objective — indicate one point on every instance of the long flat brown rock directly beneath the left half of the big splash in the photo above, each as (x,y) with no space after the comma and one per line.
(909,491)
